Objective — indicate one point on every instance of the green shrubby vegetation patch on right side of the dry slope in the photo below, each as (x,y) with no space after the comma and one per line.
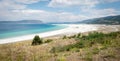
(89,41)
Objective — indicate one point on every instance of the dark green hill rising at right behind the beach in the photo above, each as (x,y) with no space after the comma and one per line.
(114,20)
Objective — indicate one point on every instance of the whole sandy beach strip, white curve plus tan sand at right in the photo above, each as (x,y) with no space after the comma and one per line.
(71,29)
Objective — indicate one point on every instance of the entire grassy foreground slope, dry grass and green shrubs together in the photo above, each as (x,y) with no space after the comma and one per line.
(92,47)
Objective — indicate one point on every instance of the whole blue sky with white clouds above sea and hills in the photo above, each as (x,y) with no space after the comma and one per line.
(57,10)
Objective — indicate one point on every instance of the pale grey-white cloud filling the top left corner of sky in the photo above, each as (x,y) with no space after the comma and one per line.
(16,4)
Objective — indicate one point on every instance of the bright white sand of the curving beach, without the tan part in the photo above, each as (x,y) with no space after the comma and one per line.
(71,29)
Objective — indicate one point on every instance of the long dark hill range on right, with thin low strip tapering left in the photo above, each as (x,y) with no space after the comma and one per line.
(113,20)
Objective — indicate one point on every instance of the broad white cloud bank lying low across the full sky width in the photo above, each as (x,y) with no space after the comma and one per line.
(54,16)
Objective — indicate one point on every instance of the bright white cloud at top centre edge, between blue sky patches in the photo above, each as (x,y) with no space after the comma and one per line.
(65,3)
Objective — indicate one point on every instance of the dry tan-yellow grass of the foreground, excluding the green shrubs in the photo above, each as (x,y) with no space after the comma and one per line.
(23,51)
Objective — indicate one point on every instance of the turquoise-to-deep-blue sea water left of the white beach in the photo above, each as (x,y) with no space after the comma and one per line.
(13,30)
